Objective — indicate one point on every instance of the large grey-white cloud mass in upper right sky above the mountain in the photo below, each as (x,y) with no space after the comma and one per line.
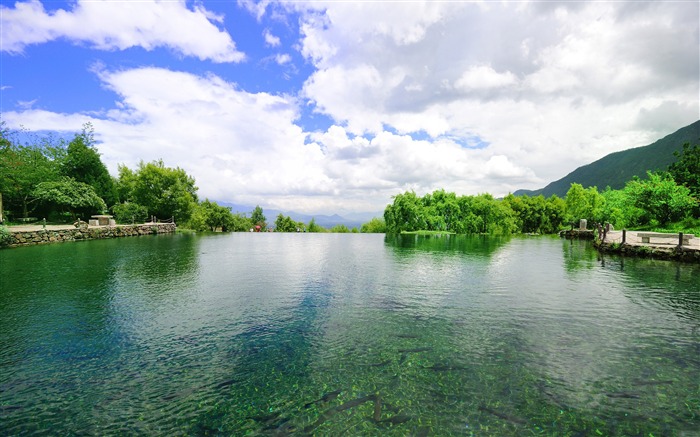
(549,86)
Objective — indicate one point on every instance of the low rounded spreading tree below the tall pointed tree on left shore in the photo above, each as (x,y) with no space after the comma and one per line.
(70,196)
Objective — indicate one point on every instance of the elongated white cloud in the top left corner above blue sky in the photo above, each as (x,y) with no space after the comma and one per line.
(108,25)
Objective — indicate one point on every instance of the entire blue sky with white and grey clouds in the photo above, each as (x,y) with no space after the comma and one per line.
(324,107)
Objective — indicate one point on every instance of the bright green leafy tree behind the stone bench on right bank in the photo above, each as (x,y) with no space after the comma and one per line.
(660,198)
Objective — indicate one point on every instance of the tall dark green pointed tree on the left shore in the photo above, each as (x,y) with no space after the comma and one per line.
(83,163)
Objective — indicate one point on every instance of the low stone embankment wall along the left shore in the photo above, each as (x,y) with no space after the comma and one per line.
(44,236)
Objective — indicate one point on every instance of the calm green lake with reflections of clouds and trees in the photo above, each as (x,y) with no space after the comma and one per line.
(346,334)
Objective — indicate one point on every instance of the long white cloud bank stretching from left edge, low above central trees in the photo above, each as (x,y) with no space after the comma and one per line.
(247,148)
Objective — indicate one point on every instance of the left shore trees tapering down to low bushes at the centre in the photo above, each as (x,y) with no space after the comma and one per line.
(62,181)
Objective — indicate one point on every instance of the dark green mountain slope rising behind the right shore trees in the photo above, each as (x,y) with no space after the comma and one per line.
(617,168)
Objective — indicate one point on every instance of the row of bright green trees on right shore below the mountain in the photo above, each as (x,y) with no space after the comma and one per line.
(659,200)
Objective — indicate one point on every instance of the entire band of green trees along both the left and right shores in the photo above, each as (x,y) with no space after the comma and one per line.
(60,180)
